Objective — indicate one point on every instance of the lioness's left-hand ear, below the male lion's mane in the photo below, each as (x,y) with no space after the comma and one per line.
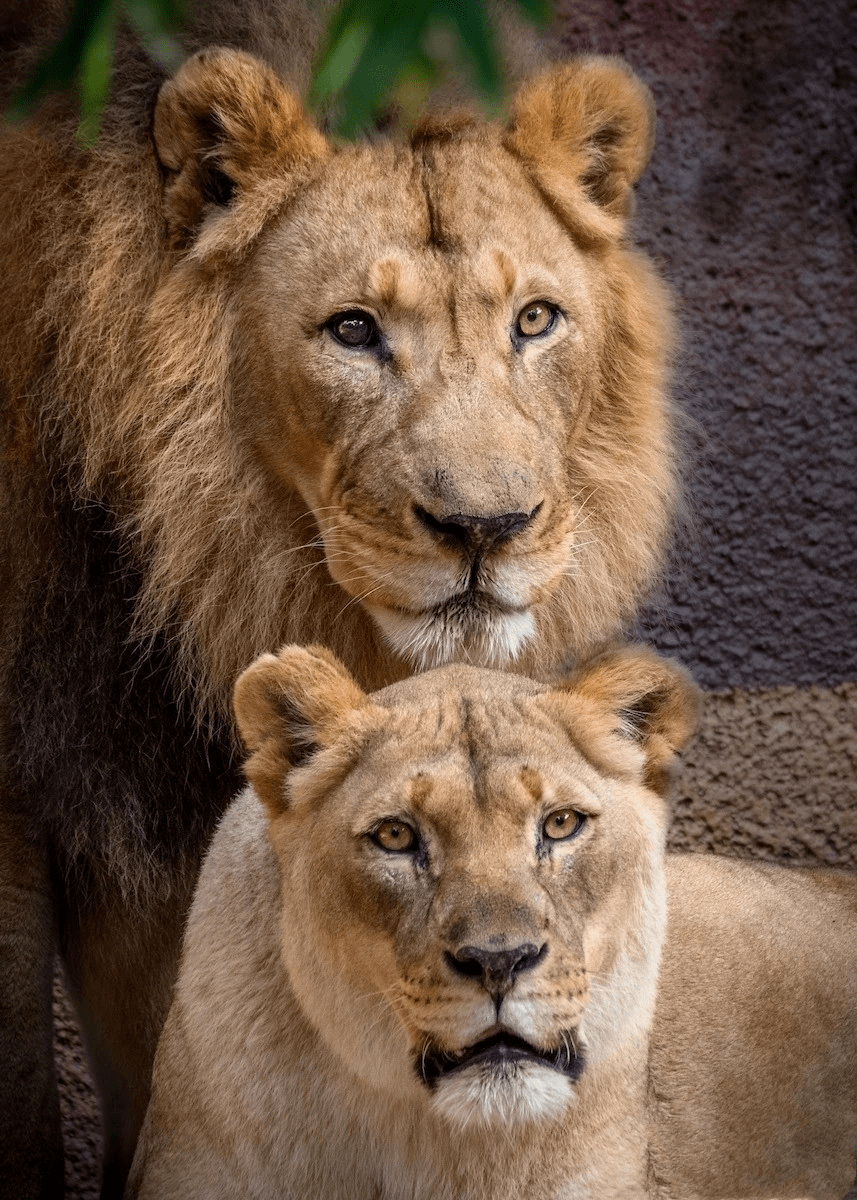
(287,706)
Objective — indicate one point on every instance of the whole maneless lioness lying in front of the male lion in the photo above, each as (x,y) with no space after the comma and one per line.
(438,951)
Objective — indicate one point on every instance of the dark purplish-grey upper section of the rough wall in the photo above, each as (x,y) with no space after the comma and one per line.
(751,205)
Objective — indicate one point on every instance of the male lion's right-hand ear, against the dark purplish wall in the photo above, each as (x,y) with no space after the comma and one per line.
(585,130)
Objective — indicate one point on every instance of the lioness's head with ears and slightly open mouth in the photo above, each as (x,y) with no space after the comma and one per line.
(472,867)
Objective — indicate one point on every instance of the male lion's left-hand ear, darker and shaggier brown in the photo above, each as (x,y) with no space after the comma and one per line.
(227,129)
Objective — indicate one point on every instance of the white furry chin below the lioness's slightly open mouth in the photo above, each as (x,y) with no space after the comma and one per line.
(513,1094)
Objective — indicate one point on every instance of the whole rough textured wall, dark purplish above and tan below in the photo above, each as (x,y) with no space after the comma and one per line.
(751,206)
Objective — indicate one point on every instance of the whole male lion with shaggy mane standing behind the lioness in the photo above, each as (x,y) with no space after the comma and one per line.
(405,399)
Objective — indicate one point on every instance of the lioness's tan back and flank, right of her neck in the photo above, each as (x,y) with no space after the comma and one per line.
(757,1027)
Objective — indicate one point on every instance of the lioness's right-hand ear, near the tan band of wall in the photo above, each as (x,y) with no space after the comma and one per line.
(644,699)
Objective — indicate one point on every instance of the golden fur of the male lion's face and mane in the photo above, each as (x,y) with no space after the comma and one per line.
(241,463)
